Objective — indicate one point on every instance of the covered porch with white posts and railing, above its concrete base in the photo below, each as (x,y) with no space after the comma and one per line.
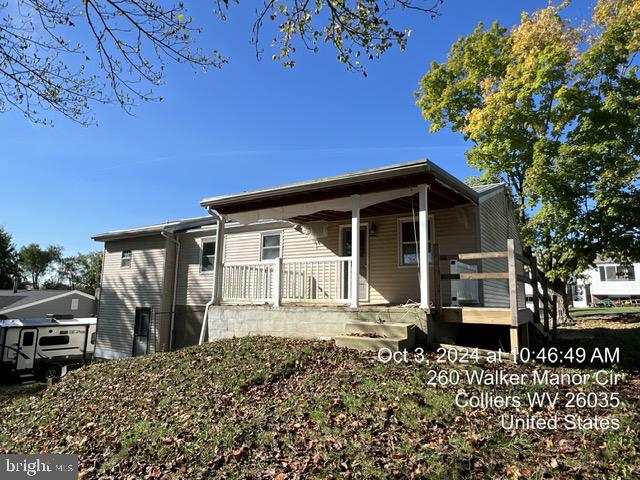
(380,224)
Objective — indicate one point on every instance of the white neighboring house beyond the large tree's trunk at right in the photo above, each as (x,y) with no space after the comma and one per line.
(607,281)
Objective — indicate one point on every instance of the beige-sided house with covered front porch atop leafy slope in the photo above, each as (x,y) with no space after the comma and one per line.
(432,254)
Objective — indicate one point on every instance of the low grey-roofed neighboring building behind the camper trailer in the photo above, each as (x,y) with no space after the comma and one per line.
(25,304)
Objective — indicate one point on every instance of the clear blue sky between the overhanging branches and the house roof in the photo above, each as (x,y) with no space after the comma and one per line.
(250,125)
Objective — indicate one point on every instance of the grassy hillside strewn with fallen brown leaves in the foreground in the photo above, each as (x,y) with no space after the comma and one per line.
(274,408)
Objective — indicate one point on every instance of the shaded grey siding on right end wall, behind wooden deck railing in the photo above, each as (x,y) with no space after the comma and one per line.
(497,225)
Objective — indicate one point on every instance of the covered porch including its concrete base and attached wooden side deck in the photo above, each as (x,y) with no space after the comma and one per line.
(412,234)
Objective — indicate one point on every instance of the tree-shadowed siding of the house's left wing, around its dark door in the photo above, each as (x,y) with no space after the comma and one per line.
(124,289)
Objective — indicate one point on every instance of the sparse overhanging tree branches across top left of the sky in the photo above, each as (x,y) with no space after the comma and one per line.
(125,45)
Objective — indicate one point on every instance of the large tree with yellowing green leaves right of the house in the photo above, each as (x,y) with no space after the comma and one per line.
(553,111)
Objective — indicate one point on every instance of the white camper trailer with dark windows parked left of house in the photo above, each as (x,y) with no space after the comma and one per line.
(44,346)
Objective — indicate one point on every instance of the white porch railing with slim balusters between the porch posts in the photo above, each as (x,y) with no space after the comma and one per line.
(321,280)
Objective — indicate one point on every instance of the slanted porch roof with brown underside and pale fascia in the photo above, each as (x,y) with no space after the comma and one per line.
(445,191)
